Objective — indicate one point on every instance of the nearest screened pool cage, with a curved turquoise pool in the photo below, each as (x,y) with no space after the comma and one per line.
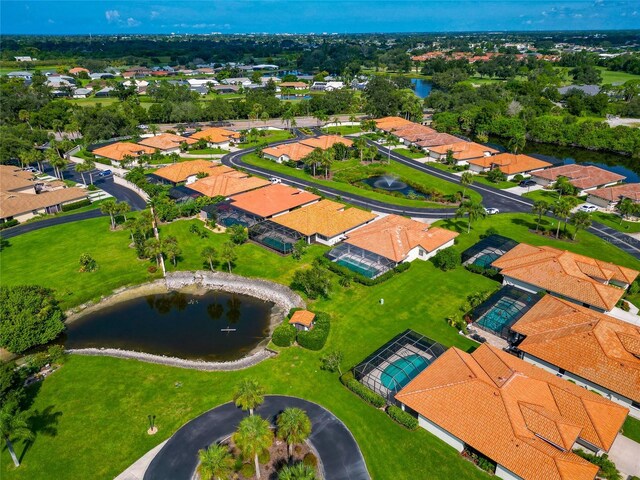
(390,368)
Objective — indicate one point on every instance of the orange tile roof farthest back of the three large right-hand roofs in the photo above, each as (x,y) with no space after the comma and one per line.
(568,274)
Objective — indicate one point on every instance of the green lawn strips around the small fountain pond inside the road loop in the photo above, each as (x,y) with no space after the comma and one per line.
(395,168)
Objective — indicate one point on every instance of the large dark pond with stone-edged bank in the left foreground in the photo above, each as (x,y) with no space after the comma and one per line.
(215,326)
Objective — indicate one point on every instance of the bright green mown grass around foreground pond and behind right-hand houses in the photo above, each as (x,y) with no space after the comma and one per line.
(106,401)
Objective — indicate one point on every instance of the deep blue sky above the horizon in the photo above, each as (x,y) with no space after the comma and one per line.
(317,16)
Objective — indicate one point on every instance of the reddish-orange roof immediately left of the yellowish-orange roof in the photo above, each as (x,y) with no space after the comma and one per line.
(272,200)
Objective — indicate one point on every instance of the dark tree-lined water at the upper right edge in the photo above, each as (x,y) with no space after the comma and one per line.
(556,154)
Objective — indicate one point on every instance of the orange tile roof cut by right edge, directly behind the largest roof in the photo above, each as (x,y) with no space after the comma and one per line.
(592,345)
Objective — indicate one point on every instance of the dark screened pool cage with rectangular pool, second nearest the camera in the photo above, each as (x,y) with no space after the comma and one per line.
(502,309)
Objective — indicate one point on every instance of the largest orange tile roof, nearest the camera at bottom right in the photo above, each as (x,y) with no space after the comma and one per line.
(519,415)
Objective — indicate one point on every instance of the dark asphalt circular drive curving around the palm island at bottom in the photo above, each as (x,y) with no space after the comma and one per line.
(338,450)
